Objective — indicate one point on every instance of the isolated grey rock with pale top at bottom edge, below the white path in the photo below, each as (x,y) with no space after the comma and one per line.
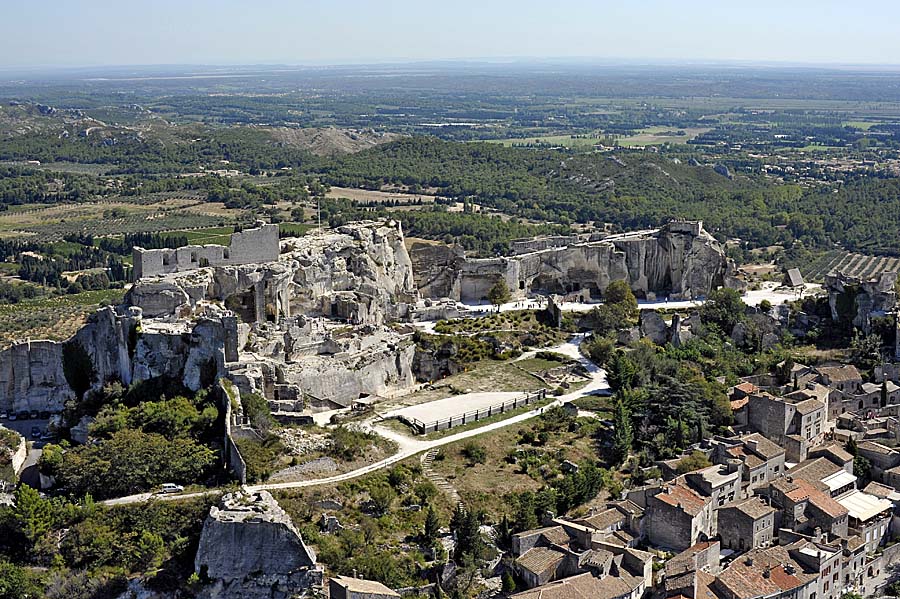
(250,549)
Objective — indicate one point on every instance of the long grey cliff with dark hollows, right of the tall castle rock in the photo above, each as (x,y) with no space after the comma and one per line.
(681,260)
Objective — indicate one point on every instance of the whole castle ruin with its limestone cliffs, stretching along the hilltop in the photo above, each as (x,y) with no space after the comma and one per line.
(312,323)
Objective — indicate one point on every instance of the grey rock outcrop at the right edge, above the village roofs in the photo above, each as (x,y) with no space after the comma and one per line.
(857,301)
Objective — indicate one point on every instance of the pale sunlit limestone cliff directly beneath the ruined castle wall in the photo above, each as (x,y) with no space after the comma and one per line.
(360,272)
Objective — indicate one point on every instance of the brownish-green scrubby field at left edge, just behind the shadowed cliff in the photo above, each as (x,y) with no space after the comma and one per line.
(56,318)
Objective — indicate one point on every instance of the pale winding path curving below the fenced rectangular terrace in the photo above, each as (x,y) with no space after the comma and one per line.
(409,446)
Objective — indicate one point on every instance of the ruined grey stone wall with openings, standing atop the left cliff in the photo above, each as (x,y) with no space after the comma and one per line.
(258,245)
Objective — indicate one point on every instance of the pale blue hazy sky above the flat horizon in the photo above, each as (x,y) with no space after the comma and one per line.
(68,33)
